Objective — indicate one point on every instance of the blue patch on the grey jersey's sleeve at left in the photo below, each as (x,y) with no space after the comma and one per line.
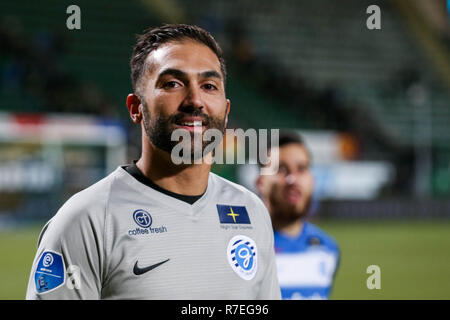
(49,273)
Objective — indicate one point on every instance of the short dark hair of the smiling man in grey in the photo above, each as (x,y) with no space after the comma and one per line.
(153,38)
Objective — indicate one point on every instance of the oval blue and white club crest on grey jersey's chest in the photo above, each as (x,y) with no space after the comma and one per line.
(243,256)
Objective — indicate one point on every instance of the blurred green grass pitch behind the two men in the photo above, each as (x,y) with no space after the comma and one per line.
(414,258)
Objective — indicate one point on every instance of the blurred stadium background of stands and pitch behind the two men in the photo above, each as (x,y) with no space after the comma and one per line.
(314,66)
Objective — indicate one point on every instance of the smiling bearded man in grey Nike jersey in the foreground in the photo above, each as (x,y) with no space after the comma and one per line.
(155,229)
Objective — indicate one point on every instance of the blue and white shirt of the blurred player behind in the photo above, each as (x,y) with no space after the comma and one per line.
(306,264)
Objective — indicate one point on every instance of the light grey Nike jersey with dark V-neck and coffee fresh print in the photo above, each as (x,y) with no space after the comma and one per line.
(120,239)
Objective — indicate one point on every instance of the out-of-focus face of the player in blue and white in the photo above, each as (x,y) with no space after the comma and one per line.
(289,191)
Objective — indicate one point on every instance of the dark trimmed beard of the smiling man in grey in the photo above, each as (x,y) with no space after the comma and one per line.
(158,130)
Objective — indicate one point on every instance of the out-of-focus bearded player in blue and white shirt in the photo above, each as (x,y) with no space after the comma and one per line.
(307,258)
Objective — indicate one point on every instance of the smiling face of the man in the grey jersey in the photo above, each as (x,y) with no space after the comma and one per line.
(183,89)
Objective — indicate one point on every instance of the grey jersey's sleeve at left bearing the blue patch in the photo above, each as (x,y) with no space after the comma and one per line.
(68,263)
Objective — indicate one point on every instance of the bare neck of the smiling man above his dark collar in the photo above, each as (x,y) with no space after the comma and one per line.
(157,165)
